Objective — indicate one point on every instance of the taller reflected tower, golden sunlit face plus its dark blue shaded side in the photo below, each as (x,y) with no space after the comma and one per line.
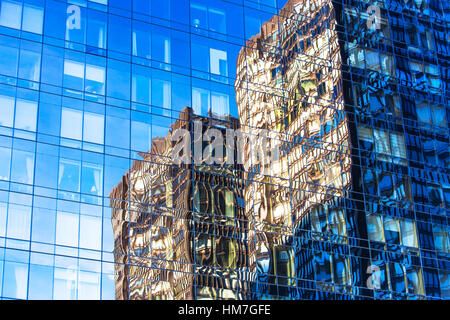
(332,217)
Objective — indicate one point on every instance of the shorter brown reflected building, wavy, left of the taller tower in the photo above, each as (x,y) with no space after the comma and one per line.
(180,230)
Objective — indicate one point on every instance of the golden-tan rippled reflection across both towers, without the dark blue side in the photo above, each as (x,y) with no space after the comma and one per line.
(192,231)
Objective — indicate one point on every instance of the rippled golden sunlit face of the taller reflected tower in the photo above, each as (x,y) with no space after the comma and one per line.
(289,83)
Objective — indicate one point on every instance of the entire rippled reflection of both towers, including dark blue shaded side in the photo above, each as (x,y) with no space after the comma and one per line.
(323,205)
